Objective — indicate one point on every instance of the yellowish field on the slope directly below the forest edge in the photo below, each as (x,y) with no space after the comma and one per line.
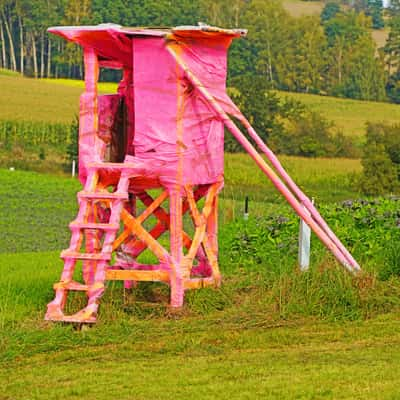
(57,101)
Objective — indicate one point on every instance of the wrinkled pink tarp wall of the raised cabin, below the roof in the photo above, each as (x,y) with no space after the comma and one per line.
(171,119)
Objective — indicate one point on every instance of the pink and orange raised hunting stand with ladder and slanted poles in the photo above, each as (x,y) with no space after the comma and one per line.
(162,131)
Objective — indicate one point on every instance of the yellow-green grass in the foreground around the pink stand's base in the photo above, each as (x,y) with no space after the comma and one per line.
(256,337)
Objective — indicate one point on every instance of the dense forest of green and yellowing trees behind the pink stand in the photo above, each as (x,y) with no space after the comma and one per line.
(329,54)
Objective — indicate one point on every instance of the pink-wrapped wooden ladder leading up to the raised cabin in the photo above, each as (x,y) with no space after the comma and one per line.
(96,256)
